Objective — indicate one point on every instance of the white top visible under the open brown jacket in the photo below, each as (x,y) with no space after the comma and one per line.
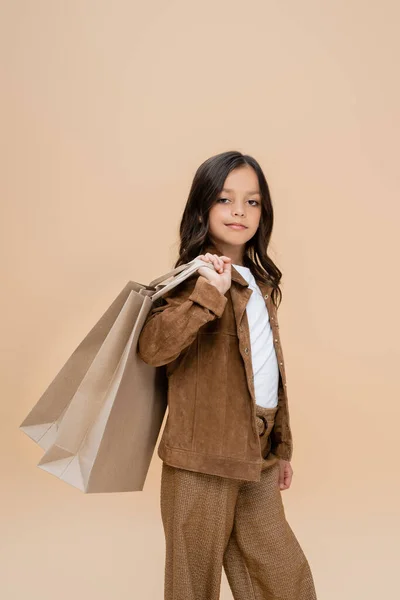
(263,356)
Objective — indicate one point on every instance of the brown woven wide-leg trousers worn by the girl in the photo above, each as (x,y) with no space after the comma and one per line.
(212,522)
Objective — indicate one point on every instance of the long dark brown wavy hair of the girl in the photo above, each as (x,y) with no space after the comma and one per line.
(194,237)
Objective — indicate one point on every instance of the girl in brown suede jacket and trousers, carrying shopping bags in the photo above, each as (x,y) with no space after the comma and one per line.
(227,443)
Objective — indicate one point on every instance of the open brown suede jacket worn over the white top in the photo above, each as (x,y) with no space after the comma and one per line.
(203,338)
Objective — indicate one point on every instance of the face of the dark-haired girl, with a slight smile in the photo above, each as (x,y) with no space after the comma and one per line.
(239,202)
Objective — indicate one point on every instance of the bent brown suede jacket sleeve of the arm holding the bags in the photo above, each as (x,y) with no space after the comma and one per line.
(170,328)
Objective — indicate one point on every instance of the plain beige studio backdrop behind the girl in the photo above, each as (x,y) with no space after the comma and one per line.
(108,109)
